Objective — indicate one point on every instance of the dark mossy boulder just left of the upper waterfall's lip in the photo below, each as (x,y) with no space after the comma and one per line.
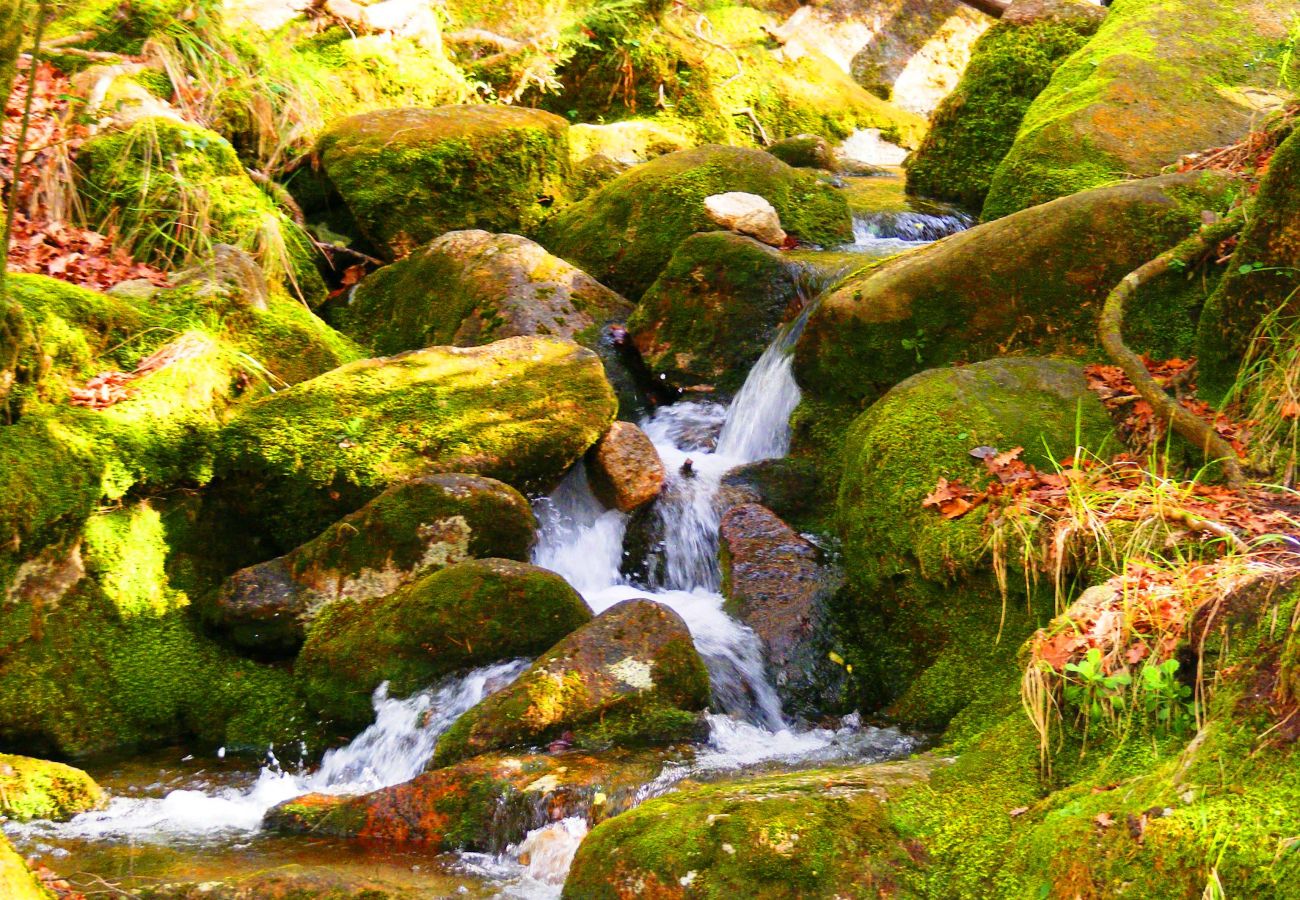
(713,310)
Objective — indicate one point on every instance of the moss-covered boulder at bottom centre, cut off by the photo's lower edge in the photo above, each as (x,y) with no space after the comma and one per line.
(817,834)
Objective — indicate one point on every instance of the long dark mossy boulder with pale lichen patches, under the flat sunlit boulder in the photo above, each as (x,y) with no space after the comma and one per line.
(410,530)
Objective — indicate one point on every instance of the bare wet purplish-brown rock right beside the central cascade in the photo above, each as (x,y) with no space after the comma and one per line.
(774,582)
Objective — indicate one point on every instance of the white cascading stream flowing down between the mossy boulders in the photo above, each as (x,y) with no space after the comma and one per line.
(176,817)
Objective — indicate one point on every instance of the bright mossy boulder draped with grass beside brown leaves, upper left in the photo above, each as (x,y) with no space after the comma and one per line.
(171,191)
